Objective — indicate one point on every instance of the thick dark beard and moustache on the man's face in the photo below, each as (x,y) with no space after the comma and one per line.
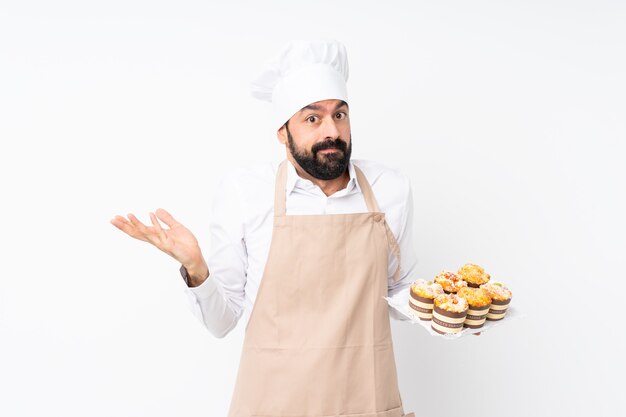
(324,166)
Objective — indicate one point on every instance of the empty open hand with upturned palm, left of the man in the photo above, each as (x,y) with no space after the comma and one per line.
(177,241)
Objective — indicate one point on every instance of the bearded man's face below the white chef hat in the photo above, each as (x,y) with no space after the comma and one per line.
(319,139)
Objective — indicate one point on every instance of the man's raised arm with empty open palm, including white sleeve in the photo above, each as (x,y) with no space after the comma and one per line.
(218,300)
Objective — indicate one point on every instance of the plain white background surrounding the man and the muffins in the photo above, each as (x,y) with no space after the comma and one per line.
(507,116)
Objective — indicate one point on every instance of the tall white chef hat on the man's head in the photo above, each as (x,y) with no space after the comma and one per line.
(303,73)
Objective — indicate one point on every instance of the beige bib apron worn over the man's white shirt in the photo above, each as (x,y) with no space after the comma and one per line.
(318,342)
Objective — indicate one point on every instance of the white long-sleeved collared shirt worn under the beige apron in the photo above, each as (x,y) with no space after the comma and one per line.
(241,223)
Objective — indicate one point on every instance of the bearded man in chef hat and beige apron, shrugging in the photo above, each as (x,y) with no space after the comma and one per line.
(307,250)
